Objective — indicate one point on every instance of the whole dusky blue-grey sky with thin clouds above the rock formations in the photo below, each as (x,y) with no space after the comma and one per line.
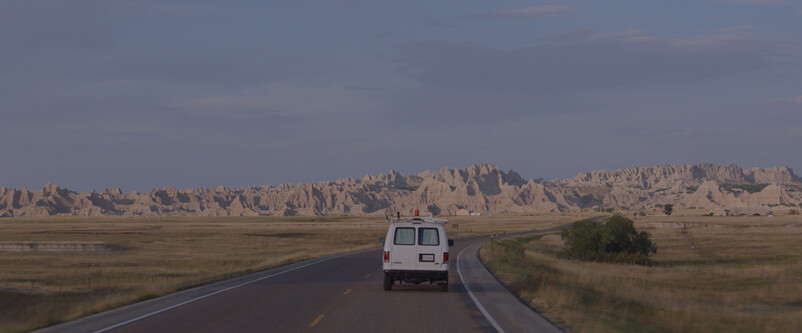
(148,94)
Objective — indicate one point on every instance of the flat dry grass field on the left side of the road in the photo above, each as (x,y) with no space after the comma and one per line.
(124,260)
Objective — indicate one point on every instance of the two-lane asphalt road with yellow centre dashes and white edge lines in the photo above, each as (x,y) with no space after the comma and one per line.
(340,293)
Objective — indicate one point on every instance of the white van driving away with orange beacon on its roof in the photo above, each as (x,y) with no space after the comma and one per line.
(415,251)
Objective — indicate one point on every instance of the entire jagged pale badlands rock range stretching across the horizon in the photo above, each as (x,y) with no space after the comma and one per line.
(482,187)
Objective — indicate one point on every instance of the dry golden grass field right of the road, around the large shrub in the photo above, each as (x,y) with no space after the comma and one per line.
(711,274)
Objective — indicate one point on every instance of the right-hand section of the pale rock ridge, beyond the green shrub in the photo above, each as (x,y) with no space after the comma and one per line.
(692,185)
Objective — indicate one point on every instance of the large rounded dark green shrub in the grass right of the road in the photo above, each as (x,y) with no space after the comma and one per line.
(615,240)
